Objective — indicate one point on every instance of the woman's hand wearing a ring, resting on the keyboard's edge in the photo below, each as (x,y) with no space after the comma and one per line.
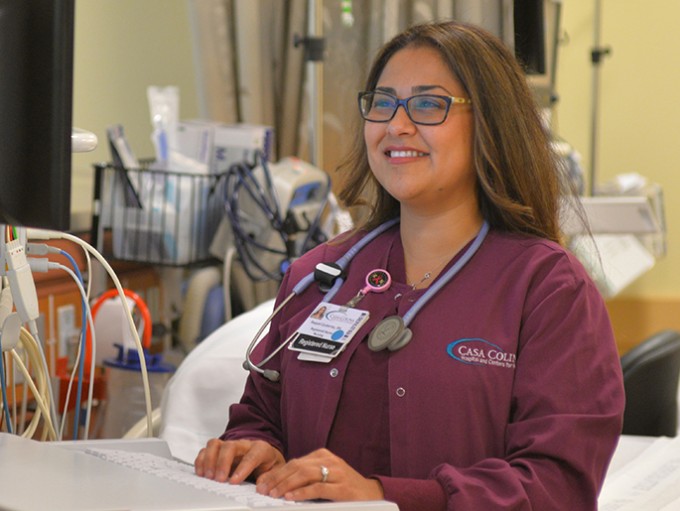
(303,479)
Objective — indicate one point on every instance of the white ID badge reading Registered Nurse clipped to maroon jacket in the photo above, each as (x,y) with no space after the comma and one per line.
(327,331)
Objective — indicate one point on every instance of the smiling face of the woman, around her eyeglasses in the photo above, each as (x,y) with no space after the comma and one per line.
(427,168)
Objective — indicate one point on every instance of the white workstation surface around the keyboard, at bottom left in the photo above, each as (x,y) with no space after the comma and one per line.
(40,475)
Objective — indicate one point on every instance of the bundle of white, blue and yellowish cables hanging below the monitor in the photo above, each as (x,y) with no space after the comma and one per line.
(27,355)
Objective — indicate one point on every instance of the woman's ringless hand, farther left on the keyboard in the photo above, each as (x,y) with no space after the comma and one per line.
(235,460)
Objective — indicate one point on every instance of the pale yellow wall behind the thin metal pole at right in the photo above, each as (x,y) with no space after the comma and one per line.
(639,123)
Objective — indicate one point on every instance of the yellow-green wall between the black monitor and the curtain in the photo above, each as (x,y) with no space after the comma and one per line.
(121,47)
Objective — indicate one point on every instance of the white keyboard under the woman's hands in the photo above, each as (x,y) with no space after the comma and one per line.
(183,473)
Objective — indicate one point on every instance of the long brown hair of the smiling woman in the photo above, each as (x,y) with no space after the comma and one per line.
(517,173)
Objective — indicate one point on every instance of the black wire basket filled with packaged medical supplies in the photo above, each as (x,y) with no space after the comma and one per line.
(155,216)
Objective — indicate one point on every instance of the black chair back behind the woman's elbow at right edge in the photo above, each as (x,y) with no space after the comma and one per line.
(650,377)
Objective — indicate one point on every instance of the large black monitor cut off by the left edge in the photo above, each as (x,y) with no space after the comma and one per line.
(36,89)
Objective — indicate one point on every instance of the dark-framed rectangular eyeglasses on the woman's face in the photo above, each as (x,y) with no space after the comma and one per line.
(426,109)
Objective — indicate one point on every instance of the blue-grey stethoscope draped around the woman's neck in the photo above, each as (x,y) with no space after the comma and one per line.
(393,332)
